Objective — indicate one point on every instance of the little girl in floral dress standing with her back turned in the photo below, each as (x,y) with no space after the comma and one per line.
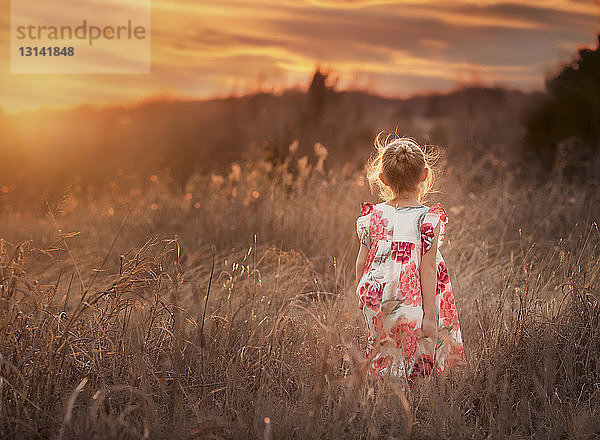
(403,283)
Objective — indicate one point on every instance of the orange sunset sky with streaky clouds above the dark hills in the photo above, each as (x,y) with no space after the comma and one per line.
(396,48)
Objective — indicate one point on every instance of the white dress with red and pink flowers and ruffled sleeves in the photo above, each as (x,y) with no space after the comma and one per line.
(390,291)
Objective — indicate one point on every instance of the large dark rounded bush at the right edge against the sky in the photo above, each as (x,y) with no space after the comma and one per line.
(568,113)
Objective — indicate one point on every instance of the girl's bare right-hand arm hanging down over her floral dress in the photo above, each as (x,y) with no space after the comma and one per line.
(428,271)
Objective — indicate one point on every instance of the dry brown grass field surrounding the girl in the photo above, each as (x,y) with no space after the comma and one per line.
(237,319)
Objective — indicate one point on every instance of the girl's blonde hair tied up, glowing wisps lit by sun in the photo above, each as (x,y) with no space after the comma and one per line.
(401,161)
